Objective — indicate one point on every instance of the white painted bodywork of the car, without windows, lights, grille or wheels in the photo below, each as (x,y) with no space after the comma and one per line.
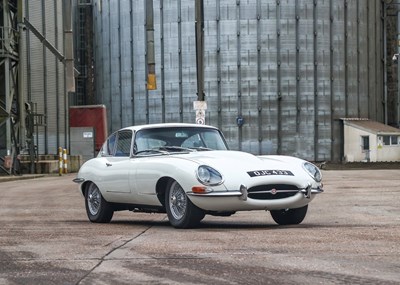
(133,180)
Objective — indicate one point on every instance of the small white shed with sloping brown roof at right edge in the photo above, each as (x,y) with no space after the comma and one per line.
(370,141)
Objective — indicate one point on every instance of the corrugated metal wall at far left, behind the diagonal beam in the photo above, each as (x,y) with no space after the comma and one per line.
(44,74)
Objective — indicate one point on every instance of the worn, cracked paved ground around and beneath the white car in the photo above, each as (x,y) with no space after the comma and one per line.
(350,236)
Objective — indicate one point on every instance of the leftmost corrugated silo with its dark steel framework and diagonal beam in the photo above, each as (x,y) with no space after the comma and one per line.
(36,71)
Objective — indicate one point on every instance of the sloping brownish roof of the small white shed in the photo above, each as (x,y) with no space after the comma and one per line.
(371,126)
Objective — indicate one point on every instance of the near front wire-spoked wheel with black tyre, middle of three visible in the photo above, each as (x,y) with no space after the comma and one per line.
(180,210)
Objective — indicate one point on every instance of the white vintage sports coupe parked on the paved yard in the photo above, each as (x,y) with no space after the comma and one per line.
(187,171)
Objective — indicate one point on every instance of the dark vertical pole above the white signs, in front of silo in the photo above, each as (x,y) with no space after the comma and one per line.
(200,48)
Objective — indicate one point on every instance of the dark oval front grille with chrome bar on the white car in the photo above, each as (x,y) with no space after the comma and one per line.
(272,191)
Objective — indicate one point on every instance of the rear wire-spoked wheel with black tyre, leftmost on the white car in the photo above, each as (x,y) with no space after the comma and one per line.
(98,210)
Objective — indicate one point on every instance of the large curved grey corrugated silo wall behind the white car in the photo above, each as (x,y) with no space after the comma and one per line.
(290,68)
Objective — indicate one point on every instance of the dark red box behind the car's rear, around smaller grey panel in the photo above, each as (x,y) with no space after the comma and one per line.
(90,116)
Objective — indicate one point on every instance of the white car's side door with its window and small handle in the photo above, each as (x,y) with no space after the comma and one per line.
(116,169)
